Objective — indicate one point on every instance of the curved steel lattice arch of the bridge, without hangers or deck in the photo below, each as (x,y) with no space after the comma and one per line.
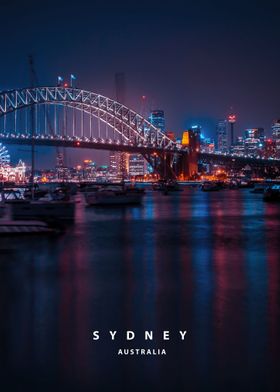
(132,128)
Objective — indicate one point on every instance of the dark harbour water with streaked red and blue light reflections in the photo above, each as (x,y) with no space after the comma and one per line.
(205,262)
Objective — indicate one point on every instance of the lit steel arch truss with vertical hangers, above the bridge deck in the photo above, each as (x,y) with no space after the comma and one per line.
(64,114)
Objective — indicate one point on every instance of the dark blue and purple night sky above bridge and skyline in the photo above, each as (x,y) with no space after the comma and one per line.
(194,60)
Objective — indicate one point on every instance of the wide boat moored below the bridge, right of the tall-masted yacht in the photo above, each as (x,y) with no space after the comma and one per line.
(114,195)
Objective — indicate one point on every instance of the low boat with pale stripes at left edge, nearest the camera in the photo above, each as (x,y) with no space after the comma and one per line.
(13,227)
